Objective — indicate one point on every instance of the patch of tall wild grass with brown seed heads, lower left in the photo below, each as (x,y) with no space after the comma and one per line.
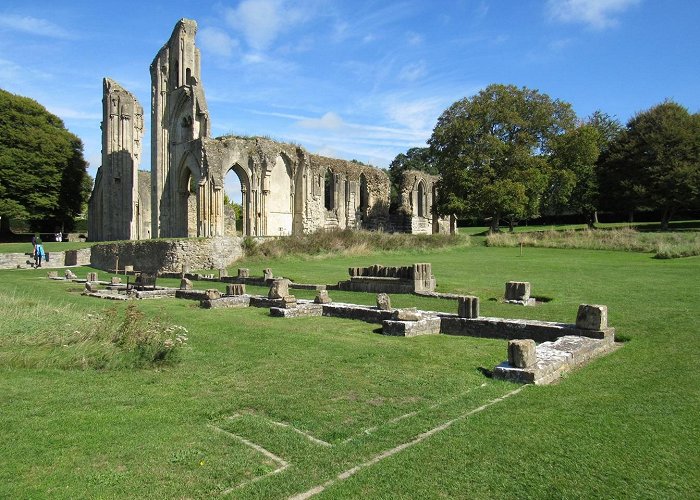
(37,334)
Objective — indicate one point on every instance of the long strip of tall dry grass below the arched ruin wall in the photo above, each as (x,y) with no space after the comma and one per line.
(351,243)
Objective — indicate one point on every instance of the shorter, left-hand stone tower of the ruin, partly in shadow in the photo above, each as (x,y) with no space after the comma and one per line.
(119,207)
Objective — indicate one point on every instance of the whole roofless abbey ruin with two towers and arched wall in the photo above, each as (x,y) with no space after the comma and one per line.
(285,189)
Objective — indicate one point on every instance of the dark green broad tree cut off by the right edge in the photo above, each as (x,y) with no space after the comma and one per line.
(655,162)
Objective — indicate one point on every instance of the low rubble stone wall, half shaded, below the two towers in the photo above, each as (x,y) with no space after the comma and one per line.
(168,255)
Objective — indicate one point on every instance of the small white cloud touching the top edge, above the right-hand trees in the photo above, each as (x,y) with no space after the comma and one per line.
(598,14)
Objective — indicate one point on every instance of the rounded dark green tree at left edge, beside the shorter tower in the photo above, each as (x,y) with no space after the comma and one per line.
(43,174)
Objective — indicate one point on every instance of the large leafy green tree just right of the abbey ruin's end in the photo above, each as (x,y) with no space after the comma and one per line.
(493,152)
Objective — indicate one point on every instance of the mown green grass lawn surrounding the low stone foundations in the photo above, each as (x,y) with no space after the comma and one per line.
(279,407)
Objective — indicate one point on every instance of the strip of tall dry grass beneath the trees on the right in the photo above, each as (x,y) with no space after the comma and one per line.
(663,245)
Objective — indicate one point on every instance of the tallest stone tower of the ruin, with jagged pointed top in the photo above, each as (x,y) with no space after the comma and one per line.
(179,119)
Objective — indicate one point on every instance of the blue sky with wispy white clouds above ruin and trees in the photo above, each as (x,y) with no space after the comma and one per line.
(353,79)
